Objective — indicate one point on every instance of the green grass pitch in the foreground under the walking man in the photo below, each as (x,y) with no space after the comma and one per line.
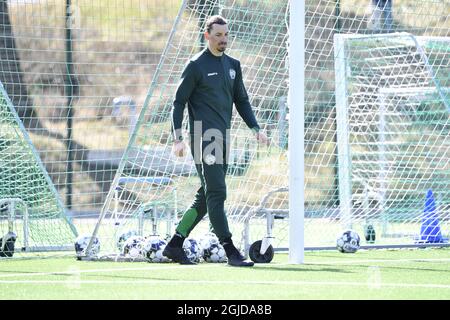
(367,274)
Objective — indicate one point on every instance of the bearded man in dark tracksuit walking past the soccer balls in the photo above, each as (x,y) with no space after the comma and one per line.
(210,84)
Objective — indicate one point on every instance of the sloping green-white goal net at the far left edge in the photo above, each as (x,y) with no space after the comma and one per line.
(29,204)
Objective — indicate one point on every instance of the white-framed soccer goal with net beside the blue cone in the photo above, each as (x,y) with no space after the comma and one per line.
(393,112)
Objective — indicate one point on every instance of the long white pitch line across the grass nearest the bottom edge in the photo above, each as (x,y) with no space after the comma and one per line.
(244,282)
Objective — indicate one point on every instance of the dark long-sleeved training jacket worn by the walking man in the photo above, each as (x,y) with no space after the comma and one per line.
(210,85)
